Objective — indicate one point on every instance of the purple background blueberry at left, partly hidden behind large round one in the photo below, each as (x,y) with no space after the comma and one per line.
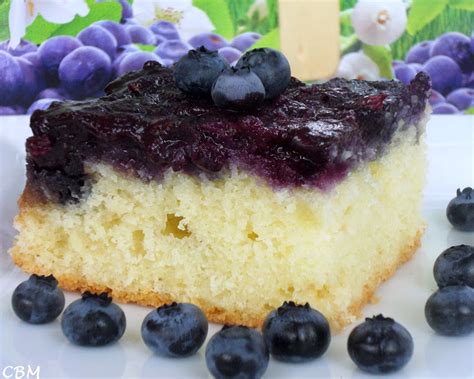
(53,51)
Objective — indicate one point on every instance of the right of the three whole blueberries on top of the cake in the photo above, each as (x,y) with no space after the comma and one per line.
(271,67)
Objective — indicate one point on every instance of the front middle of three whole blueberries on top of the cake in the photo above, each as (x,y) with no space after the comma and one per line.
(238,89)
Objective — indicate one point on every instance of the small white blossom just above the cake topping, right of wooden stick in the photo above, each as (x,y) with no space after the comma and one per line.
(358,66)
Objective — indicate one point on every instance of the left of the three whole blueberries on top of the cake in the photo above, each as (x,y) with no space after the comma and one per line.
(196,72)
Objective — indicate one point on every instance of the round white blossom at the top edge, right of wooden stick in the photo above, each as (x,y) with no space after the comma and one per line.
(379,22)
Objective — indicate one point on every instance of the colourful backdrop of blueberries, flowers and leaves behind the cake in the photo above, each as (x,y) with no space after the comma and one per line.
(57,50)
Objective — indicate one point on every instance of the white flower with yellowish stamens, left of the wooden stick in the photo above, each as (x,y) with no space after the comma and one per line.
(189,20)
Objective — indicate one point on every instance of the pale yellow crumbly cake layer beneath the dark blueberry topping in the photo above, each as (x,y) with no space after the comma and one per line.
(234,246)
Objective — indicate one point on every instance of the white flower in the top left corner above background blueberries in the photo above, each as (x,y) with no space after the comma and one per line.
(23,12)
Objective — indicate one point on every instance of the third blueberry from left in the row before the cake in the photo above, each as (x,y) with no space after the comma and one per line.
(175,330)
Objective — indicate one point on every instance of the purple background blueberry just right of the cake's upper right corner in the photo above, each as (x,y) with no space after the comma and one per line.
(444,72)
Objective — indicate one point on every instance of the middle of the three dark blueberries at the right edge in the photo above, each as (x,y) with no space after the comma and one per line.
(455,266)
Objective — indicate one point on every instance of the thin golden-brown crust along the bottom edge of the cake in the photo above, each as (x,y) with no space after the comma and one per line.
(220,316)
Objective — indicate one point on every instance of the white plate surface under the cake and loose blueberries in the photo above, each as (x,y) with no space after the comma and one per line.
(451,157)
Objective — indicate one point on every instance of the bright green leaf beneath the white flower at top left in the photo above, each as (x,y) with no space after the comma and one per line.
(40,30)
